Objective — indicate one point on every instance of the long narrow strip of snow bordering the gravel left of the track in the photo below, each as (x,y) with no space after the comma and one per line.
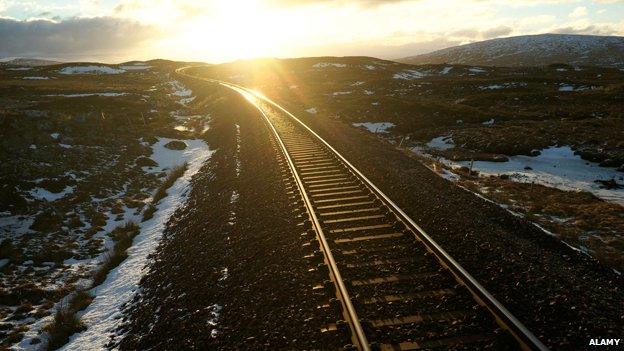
(102,316)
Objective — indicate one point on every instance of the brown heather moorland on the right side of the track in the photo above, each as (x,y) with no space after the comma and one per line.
(452,115)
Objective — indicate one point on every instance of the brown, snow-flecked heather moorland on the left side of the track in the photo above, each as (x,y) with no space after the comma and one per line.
(82,154)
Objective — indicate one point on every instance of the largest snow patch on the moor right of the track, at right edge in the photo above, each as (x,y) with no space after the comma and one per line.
(556,167)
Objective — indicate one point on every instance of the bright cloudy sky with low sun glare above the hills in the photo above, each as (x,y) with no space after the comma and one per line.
(225,30)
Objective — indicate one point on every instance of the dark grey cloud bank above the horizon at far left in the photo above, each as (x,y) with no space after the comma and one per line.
(72,38)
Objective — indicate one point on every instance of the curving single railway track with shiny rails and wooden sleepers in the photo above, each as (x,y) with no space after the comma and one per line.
(399,290)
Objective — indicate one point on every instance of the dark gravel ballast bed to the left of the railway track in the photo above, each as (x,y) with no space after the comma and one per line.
(230,272)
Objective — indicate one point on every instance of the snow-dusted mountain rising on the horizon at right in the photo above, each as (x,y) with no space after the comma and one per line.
(532,50)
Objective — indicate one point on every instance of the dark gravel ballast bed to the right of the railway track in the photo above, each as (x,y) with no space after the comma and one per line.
(564,297)
